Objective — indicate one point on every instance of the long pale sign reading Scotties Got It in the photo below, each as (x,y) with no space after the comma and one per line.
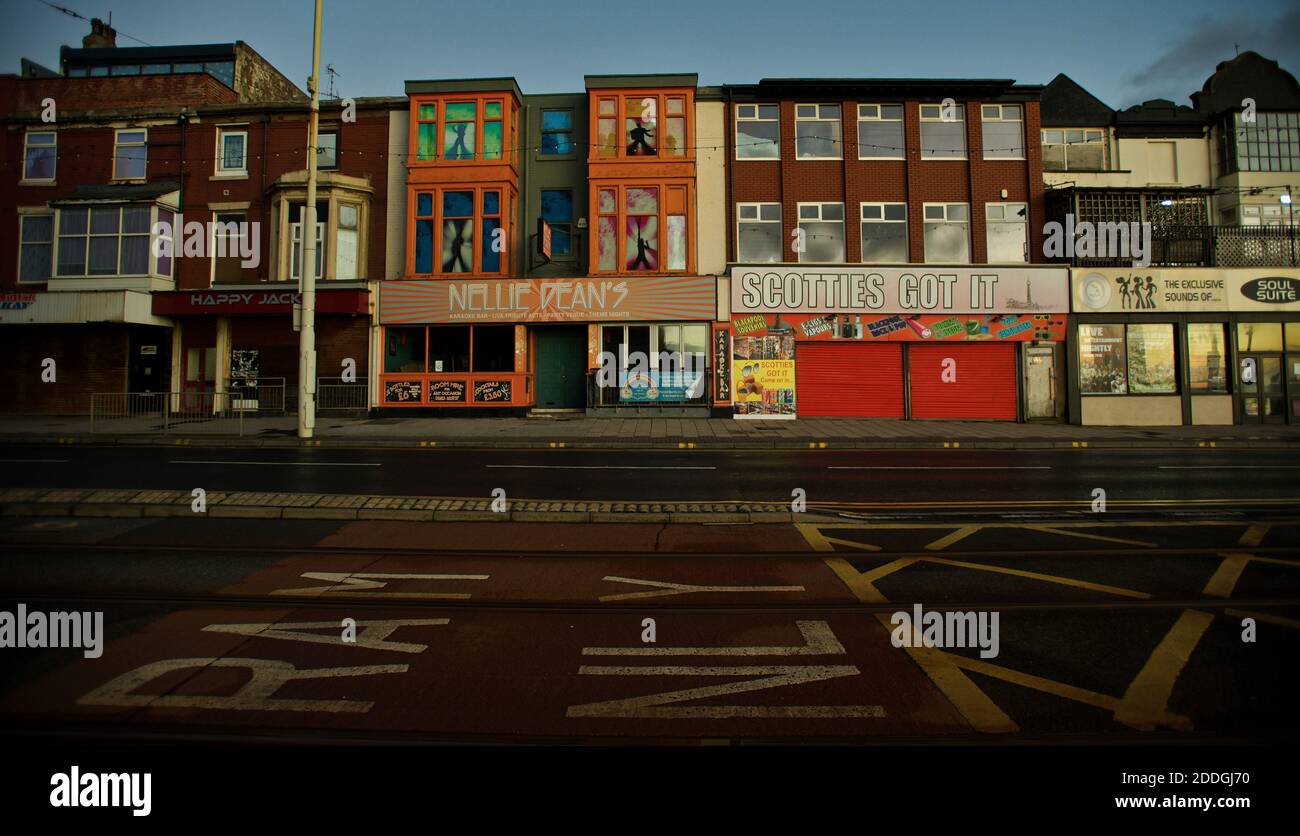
(921,289)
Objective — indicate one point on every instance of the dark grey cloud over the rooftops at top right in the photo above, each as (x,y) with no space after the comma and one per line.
(1189,62)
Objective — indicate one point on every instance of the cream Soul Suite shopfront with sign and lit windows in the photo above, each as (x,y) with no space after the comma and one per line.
(1186,346)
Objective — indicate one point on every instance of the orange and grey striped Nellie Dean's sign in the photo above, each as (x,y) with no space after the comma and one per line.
(549,300)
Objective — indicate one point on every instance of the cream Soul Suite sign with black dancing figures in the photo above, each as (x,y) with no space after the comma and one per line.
(1185,291)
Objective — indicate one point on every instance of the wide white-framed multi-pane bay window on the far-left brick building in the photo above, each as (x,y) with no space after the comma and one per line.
(105,241)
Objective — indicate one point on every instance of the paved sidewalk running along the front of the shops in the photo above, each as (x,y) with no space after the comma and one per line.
(636,434)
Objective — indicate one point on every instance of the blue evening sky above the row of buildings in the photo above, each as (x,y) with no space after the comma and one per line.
(1123,51)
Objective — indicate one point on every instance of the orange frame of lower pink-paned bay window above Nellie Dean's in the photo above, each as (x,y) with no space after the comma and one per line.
(677,198)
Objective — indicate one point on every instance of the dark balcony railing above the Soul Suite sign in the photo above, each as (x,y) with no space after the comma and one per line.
(1215,246)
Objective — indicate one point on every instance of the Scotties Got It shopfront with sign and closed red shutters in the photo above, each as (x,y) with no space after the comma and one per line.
(920,343)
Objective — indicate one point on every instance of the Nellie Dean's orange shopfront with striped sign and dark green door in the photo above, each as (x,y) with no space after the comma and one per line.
(597,345)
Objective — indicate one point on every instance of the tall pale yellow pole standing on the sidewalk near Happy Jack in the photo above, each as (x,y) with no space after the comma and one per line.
(307,336)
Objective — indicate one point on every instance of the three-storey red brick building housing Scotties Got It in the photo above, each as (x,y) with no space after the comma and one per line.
(881,237)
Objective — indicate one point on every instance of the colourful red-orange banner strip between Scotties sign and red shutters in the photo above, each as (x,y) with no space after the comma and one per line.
(907,328)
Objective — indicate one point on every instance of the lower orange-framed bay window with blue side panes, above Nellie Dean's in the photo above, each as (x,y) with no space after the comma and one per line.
(450,222)
